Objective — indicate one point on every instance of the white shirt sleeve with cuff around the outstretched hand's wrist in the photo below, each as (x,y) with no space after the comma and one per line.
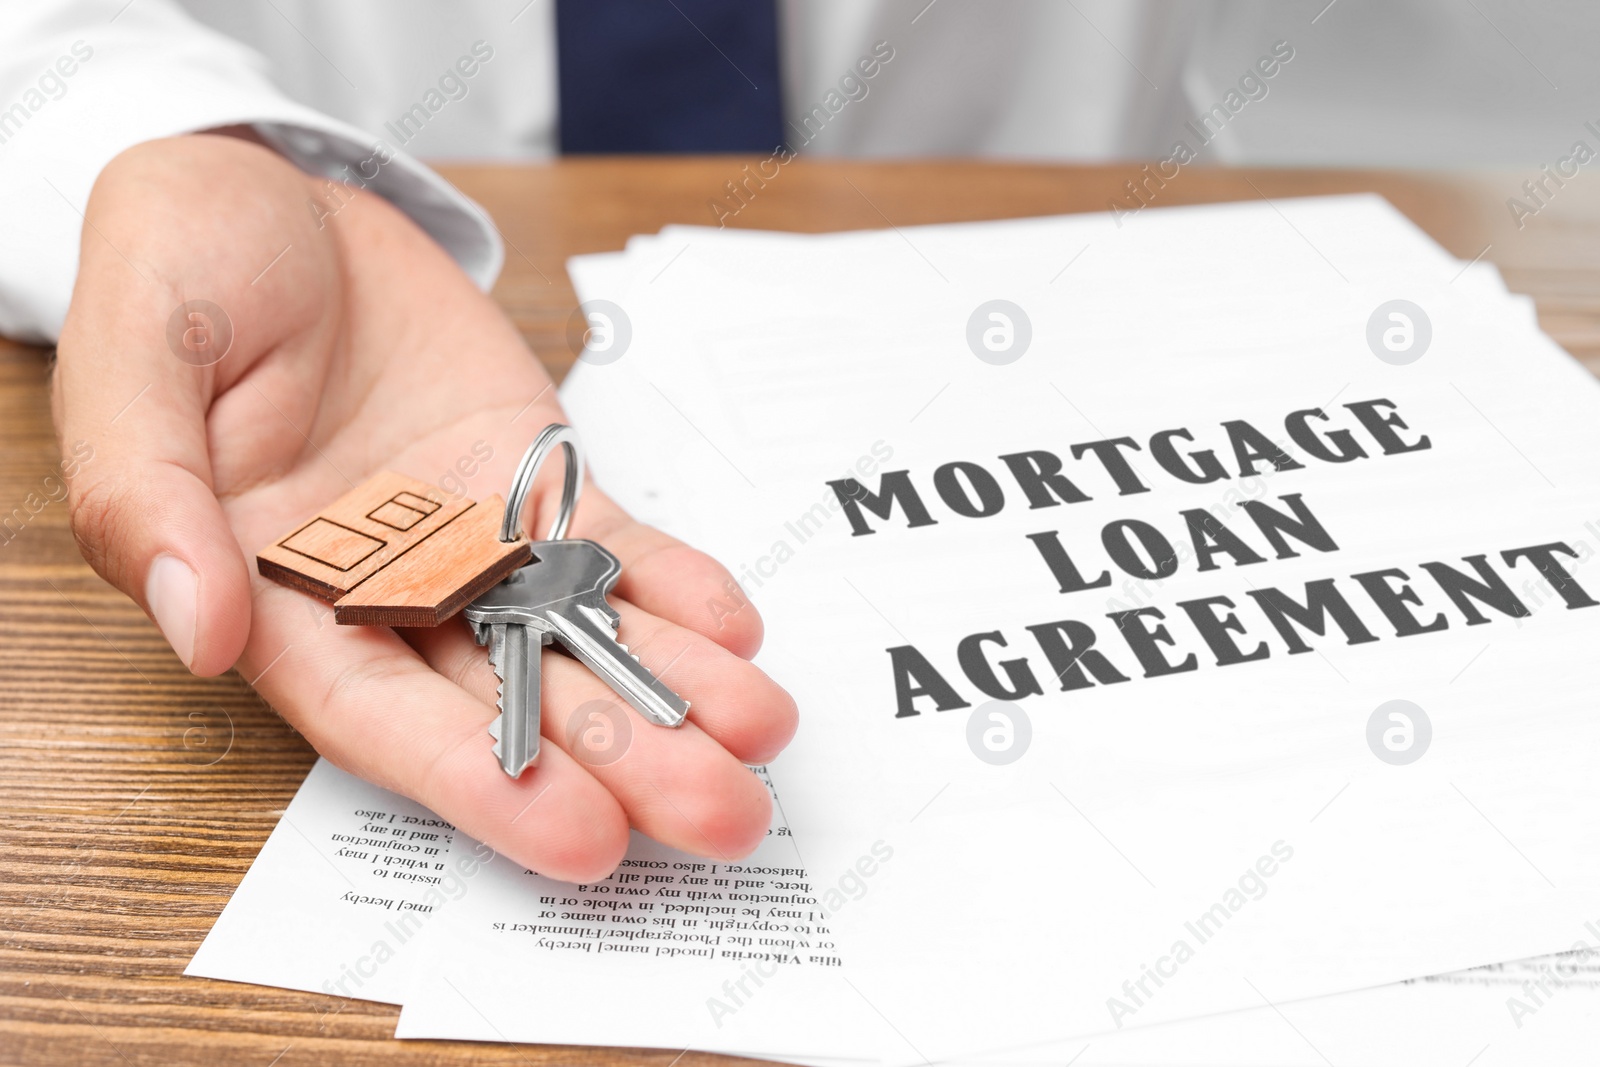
(82,81)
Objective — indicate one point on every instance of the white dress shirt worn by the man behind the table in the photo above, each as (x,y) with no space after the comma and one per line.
(329,82)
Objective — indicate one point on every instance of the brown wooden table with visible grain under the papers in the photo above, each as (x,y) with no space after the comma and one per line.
(135,796)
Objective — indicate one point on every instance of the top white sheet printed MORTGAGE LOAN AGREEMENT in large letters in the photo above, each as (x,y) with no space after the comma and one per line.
(1223,833)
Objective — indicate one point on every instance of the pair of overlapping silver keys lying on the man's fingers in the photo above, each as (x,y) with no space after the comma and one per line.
(561,596)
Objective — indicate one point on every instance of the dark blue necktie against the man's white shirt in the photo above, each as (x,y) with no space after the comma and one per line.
(670,76)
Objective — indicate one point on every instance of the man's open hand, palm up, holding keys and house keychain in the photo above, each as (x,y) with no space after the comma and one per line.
(359,346)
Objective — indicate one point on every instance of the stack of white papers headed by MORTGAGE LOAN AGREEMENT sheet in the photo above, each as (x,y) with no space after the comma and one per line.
(1190,618)
